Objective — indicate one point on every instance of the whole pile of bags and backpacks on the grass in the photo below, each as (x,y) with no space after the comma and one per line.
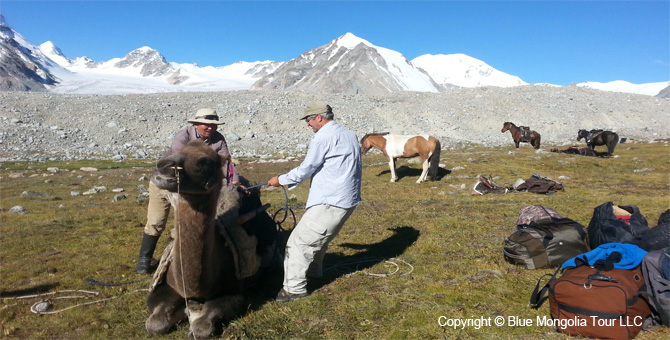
(612,279)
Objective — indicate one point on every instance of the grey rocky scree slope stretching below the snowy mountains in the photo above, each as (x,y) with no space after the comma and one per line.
(47,126)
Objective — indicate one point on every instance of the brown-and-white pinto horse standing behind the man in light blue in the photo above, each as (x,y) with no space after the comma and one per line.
(403,146)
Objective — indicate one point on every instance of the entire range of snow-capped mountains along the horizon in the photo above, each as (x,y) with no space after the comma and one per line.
(347,64)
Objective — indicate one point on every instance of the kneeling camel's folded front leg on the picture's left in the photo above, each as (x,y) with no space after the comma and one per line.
(166,307)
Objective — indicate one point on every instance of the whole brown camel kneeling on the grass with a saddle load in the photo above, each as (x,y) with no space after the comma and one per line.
(213,251)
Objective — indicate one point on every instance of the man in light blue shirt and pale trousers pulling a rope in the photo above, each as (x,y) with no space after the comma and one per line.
(333,163)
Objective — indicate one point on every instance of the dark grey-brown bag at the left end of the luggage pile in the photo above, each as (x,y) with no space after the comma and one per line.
(546,244)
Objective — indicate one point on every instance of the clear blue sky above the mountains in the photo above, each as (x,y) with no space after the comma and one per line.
(557,42)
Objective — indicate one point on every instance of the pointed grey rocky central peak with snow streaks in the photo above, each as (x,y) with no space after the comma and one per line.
(349,64)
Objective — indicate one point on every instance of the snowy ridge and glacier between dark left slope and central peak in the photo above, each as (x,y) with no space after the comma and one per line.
(145,70)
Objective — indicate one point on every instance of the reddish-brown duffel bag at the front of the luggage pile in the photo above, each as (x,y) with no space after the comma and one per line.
(596,303)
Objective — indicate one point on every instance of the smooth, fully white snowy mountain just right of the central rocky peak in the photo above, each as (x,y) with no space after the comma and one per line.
(464,71)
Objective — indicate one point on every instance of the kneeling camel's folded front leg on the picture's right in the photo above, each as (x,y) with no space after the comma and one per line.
(205,318)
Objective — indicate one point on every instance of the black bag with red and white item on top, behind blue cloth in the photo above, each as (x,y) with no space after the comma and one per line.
(606,227)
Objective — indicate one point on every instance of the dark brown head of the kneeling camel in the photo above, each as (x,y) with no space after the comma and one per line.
(195,169)
